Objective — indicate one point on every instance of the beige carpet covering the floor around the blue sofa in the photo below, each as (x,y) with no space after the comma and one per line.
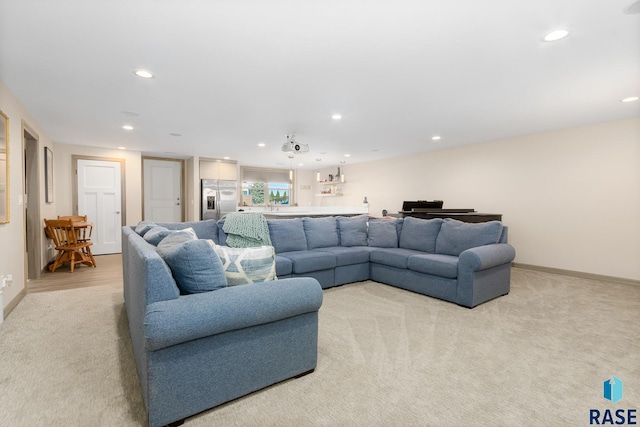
(386,357)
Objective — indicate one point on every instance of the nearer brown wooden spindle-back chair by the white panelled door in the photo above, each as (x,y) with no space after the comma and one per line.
(70,248)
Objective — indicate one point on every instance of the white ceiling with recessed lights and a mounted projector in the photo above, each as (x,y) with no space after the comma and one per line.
(231,74)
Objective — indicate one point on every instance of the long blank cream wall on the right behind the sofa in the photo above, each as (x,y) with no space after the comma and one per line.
(571,198)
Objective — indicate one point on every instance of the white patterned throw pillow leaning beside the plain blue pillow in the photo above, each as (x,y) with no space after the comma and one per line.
(244,266)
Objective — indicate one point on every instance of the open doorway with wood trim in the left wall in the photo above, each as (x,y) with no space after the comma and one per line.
(31,190)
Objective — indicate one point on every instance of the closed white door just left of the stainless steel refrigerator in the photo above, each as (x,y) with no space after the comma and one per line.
(162,190)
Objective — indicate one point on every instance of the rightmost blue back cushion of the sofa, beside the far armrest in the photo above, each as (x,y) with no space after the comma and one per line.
(456,236)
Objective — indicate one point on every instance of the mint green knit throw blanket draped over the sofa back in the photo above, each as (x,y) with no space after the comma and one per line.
(246,230)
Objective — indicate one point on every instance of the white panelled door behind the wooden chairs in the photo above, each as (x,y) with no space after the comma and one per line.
(100,198)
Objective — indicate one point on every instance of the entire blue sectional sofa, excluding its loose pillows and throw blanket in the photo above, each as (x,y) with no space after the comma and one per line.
(194,352)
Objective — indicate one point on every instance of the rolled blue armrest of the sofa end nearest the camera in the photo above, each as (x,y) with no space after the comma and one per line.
(200,315)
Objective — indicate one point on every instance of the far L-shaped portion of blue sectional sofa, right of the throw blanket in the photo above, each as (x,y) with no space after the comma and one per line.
(464,263)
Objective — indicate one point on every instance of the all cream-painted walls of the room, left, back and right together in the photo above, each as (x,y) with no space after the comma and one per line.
(571,198)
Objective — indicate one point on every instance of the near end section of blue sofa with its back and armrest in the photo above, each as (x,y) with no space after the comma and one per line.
(194,352)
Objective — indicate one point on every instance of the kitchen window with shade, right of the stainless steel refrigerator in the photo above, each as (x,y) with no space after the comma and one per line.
(261,187)
